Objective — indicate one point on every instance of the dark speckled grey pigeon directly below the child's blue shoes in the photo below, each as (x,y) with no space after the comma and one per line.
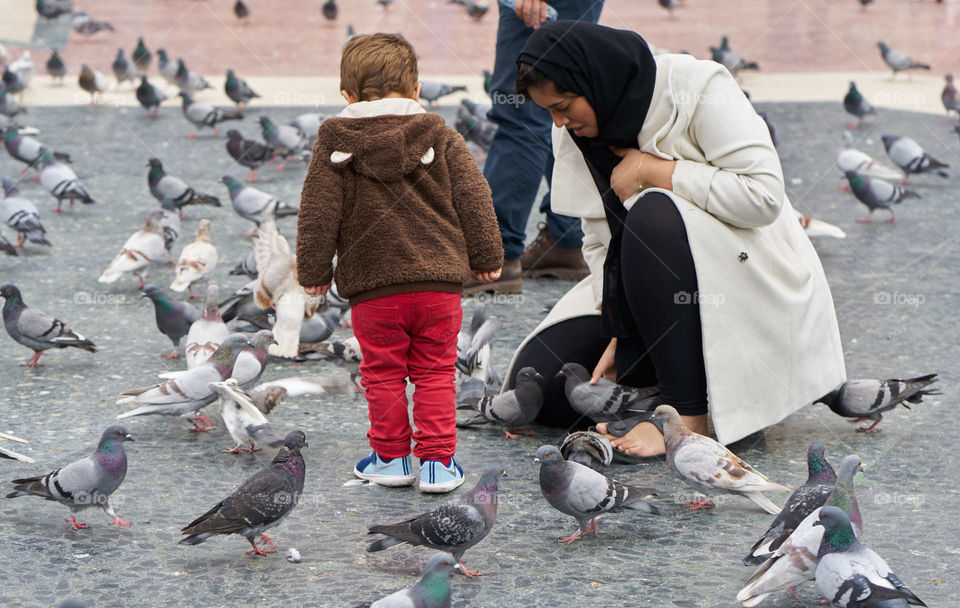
(454,526)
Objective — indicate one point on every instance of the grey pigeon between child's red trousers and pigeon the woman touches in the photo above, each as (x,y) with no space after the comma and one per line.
(512,409)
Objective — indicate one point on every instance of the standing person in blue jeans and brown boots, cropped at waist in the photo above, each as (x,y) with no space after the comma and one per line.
(521,155)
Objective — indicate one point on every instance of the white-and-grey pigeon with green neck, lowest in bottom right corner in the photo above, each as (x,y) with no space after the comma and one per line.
(849,574)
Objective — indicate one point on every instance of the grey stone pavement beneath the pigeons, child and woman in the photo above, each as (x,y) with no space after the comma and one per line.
(894,286)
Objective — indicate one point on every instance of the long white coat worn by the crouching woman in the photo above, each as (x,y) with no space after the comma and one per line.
(771,342)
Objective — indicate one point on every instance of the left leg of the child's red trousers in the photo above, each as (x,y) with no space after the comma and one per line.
(384,345)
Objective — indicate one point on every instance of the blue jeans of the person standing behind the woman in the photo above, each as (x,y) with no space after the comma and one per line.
(521,153)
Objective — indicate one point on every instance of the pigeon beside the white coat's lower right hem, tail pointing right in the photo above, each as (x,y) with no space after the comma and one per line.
(867,399)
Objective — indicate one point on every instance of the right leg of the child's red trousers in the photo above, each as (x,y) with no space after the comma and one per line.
(430,366)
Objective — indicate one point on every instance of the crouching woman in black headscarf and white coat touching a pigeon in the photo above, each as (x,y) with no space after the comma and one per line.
(705,282)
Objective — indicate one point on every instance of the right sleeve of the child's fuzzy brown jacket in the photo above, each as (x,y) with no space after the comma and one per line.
(474,206)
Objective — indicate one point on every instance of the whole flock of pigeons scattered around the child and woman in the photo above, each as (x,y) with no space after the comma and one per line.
(222,347)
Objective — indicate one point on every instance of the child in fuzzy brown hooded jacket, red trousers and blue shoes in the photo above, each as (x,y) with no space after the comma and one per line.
(397,196)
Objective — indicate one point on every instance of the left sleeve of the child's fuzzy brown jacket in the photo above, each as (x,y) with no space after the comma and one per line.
(318,222)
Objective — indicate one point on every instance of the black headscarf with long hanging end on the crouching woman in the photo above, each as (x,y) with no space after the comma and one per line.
(615,71)
